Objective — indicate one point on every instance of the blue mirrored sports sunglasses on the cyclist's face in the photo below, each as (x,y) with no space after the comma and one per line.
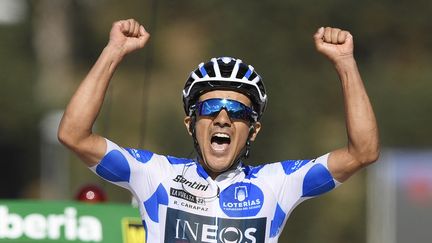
(235,109)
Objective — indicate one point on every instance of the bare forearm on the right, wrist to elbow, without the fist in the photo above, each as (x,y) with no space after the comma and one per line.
(362,129)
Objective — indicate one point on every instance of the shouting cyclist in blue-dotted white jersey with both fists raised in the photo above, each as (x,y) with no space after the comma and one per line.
(216,197)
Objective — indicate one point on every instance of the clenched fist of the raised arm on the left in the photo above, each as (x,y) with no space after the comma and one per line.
(128,36)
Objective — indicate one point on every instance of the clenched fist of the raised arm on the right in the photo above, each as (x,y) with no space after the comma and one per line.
(334,43)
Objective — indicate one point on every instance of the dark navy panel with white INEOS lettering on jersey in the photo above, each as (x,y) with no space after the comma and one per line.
(192,228)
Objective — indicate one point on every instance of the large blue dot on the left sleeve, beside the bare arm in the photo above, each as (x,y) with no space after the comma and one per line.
(114,167)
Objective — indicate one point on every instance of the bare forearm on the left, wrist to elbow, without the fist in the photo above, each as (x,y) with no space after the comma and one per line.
(84,107)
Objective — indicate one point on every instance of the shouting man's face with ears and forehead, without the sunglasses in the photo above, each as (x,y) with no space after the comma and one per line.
(222,138)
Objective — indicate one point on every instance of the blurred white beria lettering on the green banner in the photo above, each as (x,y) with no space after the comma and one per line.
(38,227)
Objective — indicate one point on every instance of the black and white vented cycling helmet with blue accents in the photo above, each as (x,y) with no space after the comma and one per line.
(225,73)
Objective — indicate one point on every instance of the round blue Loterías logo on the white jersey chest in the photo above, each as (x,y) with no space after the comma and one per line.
(241,200)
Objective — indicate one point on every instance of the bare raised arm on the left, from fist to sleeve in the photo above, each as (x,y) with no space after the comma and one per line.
(75,130)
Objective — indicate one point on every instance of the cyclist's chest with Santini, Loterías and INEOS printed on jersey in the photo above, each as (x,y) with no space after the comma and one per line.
(204,212)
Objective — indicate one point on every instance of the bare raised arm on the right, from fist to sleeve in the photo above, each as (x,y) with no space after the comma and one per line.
(363,142)
